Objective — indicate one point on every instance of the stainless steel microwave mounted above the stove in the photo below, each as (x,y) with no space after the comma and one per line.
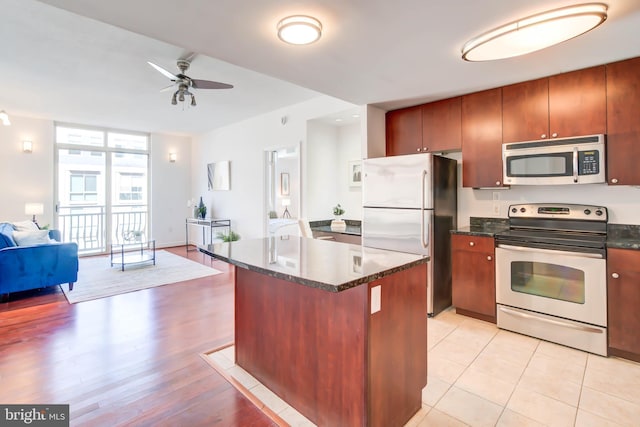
(579,160)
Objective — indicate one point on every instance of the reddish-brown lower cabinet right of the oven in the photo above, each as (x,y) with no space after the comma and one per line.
(623,294)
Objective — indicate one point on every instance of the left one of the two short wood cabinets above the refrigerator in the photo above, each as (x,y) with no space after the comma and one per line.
(404,131)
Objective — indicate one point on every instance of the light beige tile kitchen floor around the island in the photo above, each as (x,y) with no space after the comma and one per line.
(480,375)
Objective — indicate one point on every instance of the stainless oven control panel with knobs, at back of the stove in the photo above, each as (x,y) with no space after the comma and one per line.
(558,211)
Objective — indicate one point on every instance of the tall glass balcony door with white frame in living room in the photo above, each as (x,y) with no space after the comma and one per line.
(102,187)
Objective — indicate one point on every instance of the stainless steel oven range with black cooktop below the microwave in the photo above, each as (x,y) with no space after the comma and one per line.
(551,274)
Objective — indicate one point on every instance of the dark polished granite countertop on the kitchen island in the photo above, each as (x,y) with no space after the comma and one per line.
(327,265)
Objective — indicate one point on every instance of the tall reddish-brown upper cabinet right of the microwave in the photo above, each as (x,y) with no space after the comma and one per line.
(623,122)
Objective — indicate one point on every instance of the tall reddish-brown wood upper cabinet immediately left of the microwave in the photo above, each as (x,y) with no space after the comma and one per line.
(482,139)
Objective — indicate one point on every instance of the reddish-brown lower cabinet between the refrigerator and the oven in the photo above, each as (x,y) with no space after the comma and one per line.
(473,274)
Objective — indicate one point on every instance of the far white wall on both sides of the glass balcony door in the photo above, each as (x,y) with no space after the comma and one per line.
(29,177)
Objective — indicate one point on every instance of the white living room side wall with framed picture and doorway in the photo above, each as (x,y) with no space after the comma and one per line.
(243,144)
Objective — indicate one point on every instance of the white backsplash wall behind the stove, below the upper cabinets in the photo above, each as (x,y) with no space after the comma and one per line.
(622,202)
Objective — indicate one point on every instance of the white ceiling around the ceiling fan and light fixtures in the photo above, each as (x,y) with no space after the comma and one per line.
(61,66)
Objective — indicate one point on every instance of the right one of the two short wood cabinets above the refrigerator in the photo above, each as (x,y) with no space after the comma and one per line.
(441,123)
